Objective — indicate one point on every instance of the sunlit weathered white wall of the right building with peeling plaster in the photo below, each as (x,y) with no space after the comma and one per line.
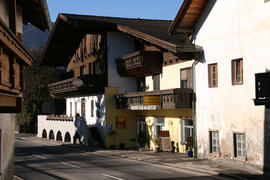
(233,29)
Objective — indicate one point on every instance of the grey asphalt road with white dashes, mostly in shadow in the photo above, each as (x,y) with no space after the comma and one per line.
(35,161)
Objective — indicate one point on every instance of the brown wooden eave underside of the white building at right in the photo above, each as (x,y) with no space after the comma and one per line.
(187,16)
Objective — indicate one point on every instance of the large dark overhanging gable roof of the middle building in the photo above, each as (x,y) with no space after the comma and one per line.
(69,29)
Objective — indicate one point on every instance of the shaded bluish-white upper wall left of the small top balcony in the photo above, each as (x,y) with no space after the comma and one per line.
(119,45)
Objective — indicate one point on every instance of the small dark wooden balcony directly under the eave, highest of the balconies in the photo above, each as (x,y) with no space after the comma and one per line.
(140,63)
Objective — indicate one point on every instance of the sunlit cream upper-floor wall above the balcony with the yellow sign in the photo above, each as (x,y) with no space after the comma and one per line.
(170,76)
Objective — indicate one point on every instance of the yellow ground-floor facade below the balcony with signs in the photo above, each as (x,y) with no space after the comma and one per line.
(127,135)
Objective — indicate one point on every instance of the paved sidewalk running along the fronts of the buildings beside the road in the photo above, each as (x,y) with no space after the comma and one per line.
(223,167)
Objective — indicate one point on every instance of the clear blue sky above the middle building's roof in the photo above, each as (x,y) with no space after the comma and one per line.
(150,9)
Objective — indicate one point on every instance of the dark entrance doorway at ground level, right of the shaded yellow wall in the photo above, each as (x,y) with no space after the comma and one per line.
(142,133)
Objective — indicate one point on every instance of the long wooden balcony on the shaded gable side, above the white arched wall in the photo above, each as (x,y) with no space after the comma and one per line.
(75,86)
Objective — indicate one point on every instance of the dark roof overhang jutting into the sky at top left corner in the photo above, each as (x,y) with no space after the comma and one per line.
(36,12)
